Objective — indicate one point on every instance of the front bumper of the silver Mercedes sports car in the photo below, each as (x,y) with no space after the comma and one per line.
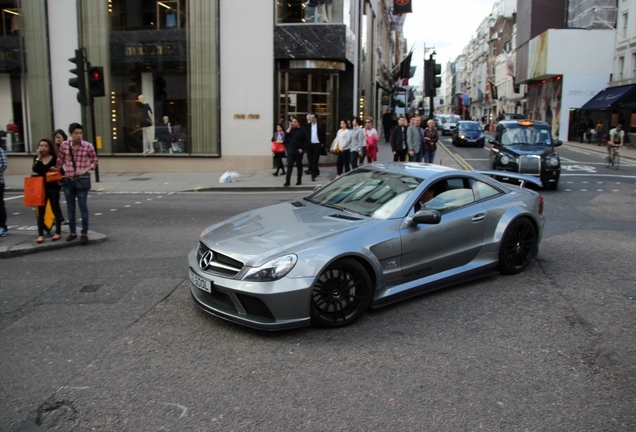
(277,305)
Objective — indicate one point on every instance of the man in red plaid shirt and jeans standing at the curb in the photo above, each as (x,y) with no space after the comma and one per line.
(83,160)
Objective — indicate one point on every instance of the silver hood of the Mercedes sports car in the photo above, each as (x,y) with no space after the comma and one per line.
(258,235)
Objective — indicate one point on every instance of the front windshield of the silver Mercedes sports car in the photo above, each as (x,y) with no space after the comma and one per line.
(369,193)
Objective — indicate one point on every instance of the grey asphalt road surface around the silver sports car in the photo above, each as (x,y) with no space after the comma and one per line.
(106,337)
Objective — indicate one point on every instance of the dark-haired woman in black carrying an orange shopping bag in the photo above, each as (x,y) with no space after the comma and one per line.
(43,163)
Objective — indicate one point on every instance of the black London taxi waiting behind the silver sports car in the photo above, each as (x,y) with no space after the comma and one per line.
(526,146)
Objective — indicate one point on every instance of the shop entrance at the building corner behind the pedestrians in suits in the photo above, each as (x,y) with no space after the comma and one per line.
(304,92)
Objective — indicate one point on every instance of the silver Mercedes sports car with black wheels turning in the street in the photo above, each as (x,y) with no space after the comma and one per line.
(379,234)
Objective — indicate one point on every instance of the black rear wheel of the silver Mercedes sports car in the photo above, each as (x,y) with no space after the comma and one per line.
(518,247)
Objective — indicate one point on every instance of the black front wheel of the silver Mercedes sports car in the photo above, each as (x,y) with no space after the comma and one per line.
(341,294)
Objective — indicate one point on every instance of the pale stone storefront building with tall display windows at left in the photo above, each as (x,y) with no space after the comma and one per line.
(213,79)
